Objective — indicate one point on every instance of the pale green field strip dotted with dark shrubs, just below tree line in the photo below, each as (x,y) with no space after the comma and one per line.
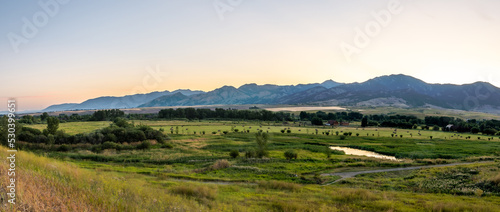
(209,127)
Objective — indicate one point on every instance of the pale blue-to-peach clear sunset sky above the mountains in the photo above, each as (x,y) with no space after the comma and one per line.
(68,51)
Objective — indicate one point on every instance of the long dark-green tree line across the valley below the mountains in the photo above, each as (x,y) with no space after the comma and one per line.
(488,127)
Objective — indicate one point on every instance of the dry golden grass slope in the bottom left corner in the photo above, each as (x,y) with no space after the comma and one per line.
(45,184)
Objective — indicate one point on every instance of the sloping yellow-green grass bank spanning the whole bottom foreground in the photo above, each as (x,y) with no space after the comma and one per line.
(49,185)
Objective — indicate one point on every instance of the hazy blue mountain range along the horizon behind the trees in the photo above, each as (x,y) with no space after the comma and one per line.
(393,90)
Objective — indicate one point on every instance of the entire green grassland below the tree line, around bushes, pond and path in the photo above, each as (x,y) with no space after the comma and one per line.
(197,173)
